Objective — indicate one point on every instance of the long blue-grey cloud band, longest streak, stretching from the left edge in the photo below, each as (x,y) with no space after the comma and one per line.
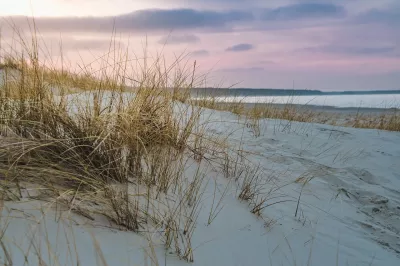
(140,21)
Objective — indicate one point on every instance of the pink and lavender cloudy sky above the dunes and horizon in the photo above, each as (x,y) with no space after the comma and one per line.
(320,44)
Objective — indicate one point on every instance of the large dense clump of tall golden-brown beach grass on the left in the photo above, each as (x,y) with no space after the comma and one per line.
(117,147)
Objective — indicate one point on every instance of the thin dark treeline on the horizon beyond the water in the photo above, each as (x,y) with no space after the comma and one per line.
(280,92)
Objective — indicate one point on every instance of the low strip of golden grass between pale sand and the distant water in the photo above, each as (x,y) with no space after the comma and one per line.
(387,120)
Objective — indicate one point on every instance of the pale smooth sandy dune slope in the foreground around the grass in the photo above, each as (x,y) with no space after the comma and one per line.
(349,211)
